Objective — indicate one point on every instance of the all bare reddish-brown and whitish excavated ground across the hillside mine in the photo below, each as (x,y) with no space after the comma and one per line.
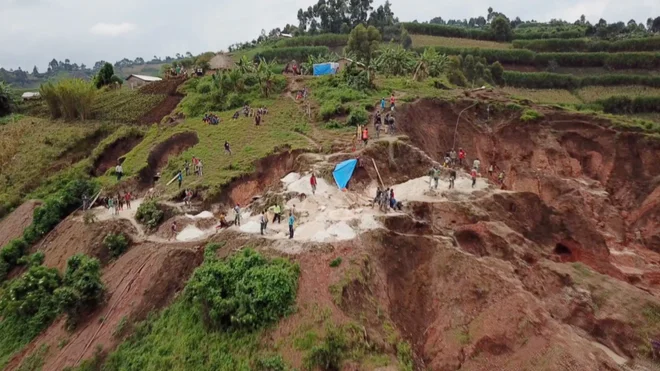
(474,279)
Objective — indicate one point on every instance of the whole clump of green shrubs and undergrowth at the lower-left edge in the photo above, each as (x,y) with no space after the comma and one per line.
(30,302)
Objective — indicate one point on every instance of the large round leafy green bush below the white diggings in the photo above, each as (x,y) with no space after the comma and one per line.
(245,291)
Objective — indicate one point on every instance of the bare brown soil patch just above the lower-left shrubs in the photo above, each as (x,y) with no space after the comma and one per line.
(72,236)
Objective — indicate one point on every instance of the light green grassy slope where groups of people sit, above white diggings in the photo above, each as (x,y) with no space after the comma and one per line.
(249,143)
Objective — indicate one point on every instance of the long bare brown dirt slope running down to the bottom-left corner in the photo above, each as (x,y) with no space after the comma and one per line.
(144,279)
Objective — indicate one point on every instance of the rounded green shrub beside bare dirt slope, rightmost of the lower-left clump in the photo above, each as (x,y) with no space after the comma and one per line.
(83,288)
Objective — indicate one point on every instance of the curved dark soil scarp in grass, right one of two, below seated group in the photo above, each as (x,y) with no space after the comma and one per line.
(160,154)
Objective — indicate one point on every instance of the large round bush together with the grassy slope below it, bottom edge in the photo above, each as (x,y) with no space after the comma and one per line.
(243,293)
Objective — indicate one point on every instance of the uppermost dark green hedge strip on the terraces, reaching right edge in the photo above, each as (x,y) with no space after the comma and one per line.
(590,45)
